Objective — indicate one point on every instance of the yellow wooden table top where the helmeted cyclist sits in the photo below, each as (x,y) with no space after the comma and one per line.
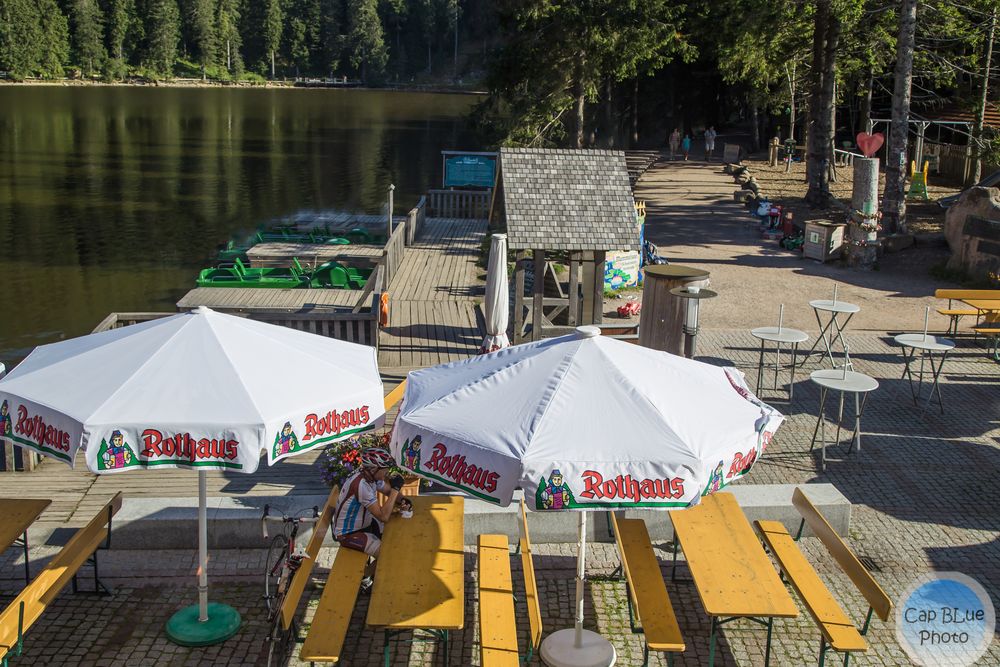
(420,579)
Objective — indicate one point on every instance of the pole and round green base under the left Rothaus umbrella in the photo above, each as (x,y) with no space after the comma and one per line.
(203,624)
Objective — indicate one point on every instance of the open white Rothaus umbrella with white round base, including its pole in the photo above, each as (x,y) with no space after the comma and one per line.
(582,422)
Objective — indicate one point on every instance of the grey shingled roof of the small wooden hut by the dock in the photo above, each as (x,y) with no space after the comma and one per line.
(566,199)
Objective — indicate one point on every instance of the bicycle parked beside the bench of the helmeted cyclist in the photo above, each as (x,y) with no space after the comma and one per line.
(283,560)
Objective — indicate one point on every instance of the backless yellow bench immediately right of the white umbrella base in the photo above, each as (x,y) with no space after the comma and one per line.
(649,609)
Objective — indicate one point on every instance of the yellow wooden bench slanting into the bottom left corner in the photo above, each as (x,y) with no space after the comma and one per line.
(27,607)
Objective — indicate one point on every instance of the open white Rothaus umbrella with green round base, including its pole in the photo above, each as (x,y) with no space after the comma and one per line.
(196,390)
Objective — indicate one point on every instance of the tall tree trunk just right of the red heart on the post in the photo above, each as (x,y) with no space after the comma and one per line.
(894,196)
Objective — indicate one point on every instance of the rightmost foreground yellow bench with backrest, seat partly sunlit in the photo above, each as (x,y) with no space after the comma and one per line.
(836,627)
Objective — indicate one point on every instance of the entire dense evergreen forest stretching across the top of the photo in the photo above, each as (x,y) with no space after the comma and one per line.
(607,73)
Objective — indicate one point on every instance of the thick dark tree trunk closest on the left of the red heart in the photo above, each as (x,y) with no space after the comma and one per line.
(826,37)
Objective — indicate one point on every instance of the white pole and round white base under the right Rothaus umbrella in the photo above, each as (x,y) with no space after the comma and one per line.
(577,647)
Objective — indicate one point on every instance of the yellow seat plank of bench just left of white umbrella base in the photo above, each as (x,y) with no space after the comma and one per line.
(497,625)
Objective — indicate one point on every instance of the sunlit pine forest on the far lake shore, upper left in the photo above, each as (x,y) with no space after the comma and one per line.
(373,40)
